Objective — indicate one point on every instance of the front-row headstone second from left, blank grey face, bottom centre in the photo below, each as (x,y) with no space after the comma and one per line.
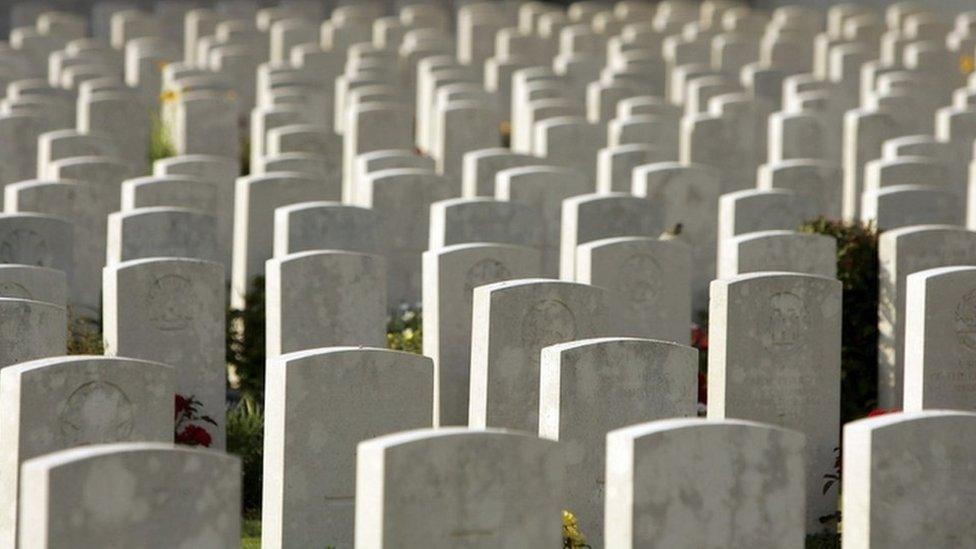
(481,488)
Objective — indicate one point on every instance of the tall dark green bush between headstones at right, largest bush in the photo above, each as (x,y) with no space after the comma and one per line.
(857,269)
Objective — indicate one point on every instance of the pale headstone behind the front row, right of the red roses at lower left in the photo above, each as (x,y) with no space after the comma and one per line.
(310,486)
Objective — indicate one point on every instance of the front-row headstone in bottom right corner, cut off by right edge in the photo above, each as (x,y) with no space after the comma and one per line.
(906,478)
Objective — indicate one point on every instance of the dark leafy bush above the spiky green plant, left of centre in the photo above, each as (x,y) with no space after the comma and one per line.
(245,345)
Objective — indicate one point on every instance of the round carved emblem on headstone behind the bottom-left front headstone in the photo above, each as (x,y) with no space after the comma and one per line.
(96,412)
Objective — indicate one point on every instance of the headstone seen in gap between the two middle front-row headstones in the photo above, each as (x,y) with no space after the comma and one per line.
(592,386)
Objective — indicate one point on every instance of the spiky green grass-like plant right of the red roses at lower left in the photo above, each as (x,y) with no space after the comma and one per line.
(245,438)
